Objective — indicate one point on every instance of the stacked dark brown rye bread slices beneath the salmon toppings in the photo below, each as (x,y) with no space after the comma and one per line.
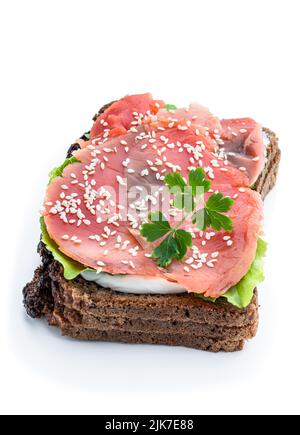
(85,311)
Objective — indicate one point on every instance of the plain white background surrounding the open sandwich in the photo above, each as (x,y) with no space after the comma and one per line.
(62,60)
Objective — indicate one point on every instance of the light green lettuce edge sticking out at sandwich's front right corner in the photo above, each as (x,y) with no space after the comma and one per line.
(241,294)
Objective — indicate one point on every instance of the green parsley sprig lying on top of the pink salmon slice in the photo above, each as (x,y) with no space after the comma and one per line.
(176,241)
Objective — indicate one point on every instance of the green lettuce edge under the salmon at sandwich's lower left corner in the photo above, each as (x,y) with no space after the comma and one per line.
(71,268)
